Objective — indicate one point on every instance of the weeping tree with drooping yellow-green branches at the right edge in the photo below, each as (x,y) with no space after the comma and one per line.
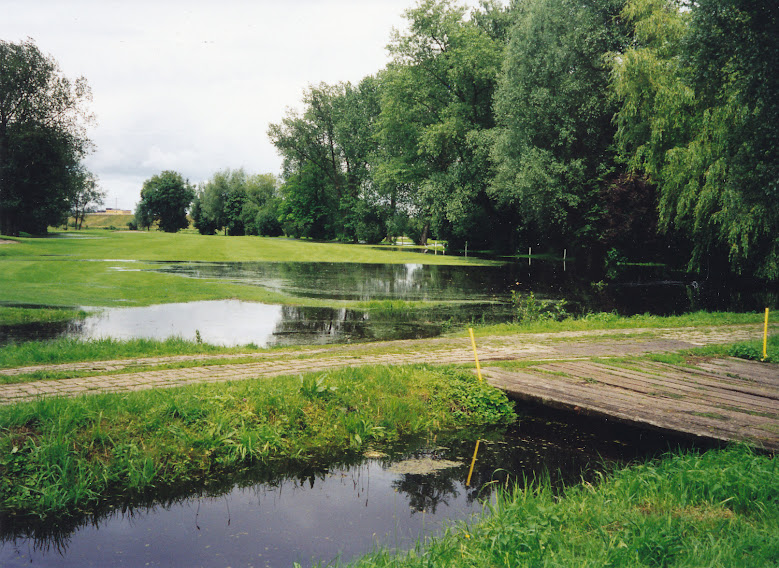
(699,104)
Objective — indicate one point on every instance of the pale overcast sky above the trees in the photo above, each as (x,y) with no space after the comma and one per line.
(192,85)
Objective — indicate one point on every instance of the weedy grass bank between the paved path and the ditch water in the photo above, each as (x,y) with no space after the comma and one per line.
(64,456)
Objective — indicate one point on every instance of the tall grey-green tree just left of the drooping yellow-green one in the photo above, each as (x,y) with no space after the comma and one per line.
(554,151)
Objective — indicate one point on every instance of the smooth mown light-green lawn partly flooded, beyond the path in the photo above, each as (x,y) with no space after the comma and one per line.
(56,271)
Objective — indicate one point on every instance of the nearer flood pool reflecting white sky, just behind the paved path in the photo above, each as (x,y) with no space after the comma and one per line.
(233,322)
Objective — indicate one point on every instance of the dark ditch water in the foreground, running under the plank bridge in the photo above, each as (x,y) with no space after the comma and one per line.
(338,511)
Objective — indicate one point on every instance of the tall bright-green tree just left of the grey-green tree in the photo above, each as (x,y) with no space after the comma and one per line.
(436,116)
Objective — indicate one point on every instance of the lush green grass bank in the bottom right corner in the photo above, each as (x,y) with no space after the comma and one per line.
(720,508)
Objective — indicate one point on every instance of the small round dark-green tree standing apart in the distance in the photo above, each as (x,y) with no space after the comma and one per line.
(165,198)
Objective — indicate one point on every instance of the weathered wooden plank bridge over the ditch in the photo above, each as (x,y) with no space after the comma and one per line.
(720,399)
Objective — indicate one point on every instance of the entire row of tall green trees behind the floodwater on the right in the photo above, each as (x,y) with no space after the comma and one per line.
(644,129)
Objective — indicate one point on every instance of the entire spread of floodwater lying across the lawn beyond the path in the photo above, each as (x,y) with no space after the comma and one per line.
(479,294)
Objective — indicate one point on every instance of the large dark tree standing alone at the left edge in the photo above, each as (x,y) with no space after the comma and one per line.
(42,138)
